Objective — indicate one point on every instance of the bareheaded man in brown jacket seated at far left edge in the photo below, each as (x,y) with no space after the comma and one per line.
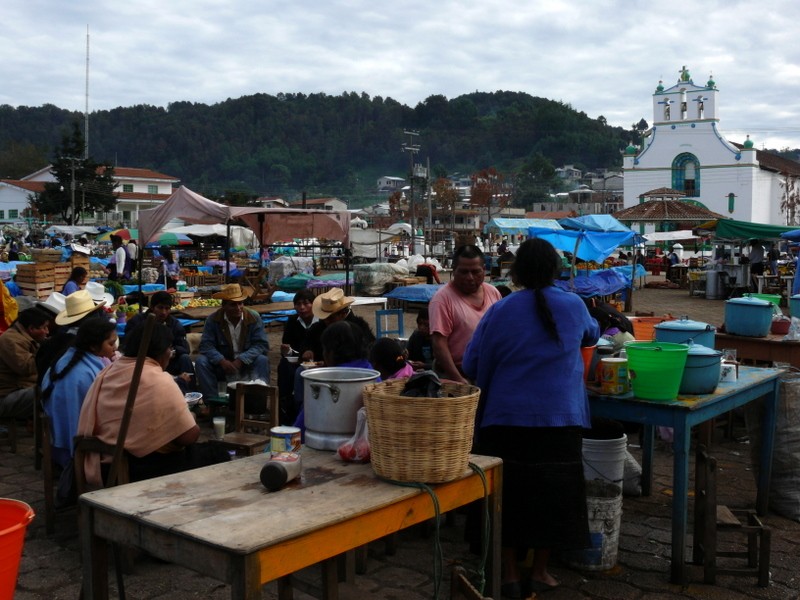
(18,347)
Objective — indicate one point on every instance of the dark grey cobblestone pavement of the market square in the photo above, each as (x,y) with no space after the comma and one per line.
(50,567)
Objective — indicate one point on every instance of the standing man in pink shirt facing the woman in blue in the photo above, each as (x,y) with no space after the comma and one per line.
(456,309)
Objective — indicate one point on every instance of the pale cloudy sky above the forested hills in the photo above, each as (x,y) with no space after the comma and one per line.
(603,57)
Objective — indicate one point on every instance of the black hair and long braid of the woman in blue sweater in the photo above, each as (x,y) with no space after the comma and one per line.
(536,266)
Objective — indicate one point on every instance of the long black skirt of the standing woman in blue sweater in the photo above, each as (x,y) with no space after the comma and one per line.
(544,491)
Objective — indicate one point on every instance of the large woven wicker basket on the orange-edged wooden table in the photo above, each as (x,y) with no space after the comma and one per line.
(425,440)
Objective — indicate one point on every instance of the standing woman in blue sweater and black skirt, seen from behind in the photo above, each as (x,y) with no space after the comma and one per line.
(525,357)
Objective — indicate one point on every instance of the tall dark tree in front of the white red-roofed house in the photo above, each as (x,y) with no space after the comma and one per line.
(82,181)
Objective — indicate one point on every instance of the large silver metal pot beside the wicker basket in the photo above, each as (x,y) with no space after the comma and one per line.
(332,397)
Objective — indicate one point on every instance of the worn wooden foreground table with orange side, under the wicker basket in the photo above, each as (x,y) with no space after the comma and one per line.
(221,522)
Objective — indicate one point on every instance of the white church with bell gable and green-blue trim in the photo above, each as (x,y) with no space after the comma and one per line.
(686,151)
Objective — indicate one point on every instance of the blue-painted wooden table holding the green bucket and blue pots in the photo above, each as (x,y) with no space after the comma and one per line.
(682,414)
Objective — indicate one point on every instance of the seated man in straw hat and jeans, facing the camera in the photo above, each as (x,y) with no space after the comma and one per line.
(234,345)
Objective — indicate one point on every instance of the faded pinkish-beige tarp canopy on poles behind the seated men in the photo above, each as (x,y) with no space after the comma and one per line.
(270,225)
